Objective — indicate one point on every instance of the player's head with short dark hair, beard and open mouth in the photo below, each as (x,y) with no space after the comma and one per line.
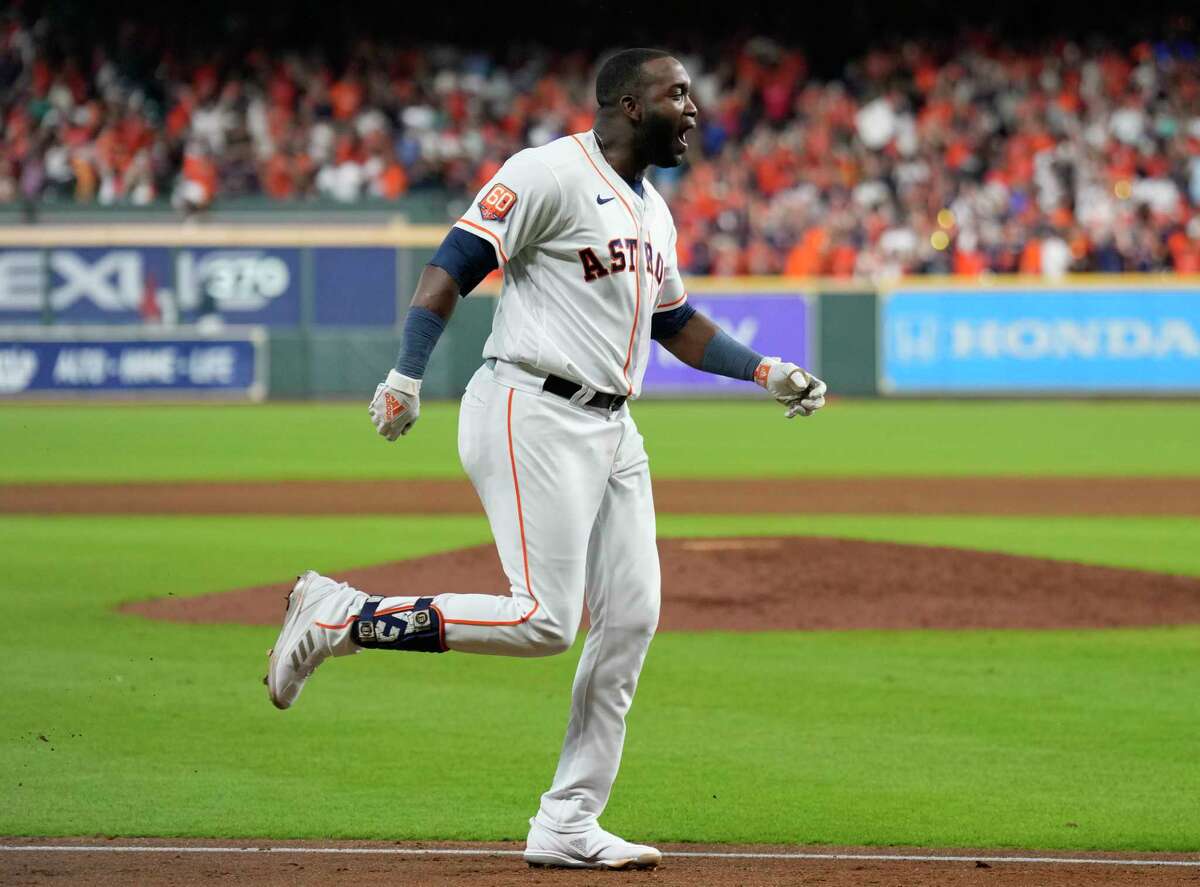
(652,93)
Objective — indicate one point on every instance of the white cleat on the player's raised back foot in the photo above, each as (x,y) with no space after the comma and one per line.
(315,628)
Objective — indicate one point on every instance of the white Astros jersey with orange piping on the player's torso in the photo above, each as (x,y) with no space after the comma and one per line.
(586,261)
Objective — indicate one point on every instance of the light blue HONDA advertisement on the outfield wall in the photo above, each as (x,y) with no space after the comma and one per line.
(1084,341)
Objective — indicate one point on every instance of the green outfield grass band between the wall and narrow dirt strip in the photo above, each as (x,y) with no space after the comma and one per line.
(686,440)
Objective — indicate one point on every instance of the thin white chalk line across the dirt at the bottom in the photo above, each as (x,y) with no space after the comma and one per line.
(694,855)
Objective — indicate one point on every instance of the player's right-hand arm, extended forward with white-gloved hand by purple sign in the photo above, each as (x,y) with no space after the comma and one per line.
(703,345)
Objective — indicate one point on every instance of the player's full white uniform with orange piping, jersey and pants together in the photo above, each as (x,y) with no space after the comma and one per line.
(567,488)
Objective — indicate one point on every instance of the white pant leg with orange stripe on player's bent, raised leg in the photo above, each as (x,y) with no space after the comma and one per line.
(541,468)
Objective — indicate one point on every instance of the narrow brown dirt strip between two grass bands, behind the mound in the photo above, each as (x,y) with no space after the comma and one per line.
(979,496)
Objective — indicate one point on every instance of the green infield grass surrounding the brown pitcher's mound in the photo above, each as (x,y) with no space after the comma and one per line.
(977,739)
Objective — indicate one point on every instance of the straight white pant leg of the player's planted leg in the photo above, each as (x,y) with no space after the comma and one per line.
(623,590)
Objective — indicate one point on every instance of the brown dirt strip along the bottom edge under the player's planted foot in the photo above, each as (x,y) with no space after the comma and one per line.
(184,870)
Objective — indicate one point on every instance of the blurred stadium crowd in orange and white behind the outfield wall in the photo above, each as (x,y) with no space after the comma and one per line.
(920,159)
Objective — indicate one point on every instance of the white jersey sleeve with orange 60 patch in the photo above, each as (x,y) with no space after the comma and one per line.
(520,207)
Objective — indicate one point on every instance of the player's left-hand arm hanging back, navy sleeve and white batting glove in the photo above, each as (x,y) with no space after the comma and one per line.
(459,266)
